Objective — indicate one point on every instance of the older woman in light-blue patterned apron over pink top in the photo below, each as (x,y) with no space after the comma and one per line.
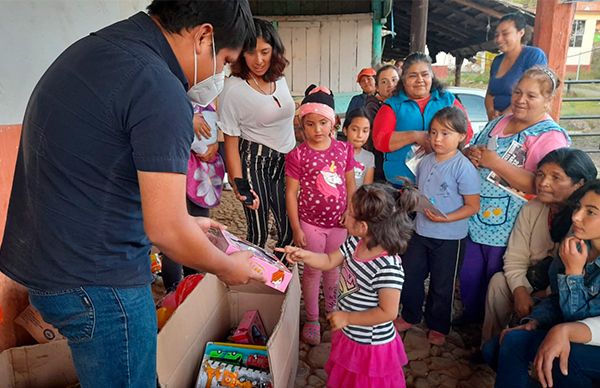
(528,134)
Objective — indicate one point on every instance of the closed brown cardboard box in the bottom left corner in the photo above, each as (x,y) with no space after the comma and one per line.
(39,366)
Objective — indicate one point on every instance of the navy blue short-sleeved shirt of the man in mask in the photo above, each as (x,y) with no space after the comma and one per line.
(112,104)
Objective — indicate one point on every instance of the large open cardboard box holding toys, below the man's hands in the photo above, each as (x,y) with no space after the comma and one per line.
(211,311)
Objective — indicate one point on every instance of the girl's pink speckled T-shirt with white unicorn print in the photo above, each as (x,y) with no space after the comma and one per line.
(322,177)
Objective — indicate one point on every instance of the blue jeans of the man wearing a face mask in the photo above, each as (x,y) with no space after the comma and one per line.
(111,332)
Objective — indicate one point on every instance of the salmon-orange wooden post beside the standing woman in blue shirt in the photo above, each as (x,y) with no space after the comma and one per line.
(553,24)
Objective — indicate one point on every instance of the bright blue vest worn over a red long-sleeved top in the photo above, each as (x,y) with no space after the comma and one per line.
(410,118)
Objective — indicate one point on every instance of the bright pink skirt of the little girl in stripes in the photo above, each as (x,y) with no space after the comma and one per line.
(352,364)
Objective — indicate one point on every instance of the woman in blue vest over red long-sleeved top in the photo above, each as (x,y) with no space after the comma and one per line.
(403,120)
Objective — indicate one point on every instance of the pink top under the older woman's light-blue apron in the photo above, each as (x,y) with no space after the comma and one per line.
(536,147)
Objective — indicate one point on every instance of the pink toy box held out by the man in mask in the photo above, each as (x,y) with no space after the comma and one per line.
(276,274)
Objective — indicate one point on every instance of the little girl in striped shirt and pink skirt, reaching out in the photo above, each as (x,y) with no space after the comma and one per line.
(366,350)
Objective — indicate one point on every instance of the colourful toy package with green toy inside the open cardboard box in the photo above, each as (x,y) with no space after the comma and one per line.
(233,365)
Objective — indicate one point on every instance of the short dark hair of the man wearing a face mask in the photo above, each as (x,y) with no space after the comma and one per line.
(231,20)
